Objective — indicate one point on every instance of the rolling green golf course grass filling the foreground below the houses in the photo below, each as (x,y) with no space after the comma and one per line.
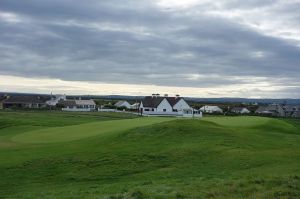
(217,157)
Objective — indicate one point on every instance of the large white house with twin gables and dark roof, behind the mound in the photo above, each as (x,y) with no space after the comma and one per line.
(167,106)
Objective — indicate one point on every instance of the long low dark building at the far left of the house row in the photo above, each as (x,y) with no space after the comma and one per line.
(25,101)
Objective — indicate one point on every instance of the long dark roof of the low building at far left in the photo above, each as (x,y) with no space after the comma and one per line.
(28,99)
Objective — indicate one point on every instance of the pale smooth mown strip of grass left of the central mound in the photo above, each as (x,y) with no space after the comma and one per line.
(75,132)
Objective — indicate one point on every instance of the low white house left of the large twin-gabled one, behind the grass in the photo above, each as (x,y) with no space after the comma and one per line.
(79,105)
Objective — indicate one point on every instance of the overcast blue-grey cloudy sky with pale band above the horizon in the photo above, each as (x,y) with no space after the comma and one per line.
(203,48)
